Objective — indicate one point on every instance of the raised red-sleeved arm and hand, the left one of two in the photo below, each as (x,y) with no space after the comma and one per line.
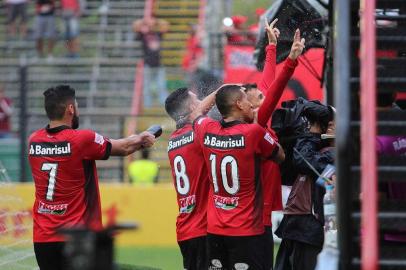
(268,74)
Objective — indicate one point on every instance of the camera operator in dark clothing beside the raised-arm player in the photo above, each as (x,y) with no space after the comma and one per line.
(301,229)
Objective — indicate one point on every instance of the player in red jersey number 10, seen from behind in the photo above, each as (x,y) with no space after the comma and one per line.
(233,149)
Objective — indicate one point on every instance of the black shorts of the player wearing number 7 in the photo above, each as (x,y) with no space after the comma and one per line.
(50,255)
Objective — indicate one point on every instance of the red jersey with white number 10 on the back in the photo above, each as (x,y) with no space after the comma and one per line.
(233,153)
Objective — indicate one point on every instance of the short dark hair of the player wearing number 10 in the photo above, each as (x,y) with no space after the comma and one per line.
(226,97)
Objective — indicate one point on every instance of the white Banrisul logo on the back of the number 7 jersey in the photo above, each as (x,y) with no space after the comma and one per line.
(49,149)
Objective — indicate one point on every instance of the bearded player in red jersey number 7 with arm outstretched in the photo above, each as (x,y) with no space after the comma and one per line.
(63,166)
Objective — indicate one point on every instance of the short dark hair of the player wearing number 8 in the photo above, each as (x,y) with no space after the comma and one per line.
(175,103)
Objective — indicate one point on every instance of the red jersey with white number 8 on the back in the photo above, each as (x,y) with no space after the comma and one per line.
(191,181)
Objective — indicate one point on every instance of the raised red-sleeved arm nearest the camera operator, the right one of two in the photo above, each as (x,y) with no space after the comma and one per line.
(276,90)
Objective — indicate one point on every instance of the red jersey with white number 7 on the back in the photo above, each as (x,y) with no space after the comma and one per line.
(63,166)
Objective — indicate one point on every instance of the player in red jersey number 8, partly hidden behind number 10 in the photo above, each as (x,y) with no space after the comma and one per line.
(190,176)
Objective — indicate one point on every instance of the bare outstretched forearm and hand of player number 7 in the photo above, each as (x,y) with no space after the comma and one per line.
(127,146)
